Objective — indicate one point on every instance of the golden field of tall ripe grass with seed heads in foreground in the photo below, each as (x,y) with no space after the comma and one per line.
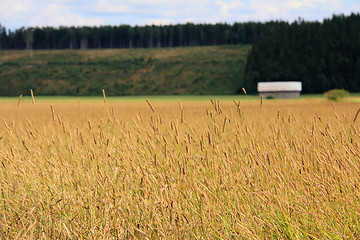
(190,170)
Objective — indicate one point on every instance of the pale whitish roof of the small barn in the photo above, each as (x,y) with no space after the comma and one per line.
(279,86)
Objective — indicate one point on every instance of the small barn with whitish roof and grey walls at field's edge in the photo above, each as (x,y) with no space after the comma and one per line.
(279,89)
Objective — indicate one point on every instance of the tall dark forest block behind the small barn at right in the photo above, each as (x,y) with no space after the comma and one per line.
(322,56)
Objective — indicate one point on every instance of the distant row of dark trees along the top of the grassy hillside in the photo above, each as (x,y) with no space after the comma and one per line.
(125,36)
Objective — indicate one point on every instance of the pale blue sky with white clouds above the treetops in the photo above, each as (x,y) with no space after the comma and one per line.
(38,13)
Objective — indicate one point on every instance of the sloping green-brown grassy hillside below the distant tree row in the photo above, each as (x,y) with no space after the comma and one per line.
(188,70)
